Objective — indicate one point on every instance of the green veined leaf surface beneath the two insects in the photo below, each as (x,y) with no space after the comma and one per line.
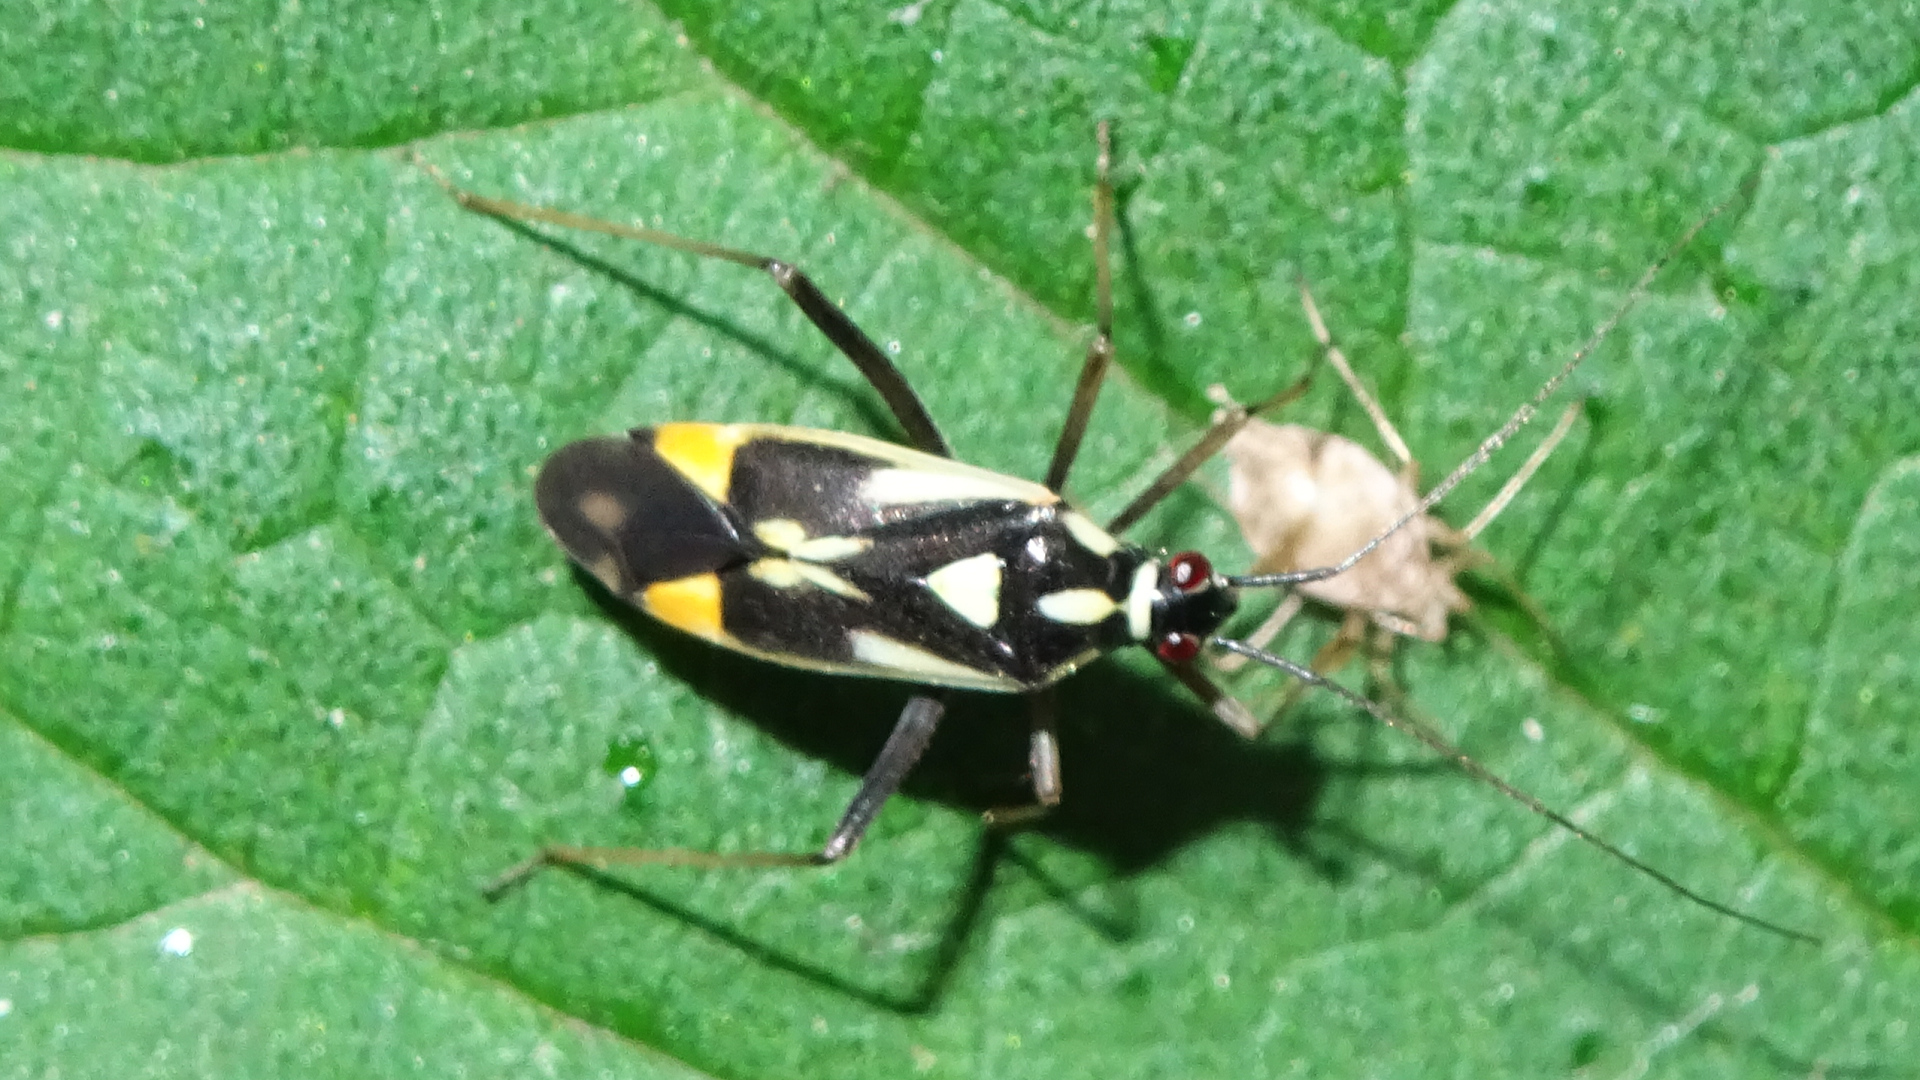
(289,668)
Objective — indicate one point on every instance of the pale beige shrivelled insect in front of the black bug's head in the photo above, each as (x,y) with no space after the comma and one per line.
(1305,499)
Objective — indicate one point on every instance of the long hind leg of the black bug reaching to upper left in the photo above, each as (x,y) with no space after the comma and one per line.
(802,289)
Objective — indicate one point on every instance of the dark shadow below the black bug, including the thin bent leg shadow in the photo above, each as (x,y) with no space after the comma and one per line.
(1147,772)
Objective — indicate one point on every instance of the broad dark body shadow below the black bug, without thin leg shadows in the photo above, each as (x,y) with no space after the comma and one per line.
(1147,770)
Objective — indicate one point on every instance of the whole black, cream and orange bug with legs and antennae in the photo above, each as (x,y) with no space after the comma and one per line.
(848,554)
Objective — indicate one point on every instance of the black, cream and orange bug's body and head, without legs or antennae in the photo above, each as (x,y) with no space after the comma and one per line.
(855,556)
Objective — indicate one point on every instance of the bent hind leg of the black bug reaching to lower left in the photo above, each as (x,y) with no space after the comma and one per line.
(905,747)
